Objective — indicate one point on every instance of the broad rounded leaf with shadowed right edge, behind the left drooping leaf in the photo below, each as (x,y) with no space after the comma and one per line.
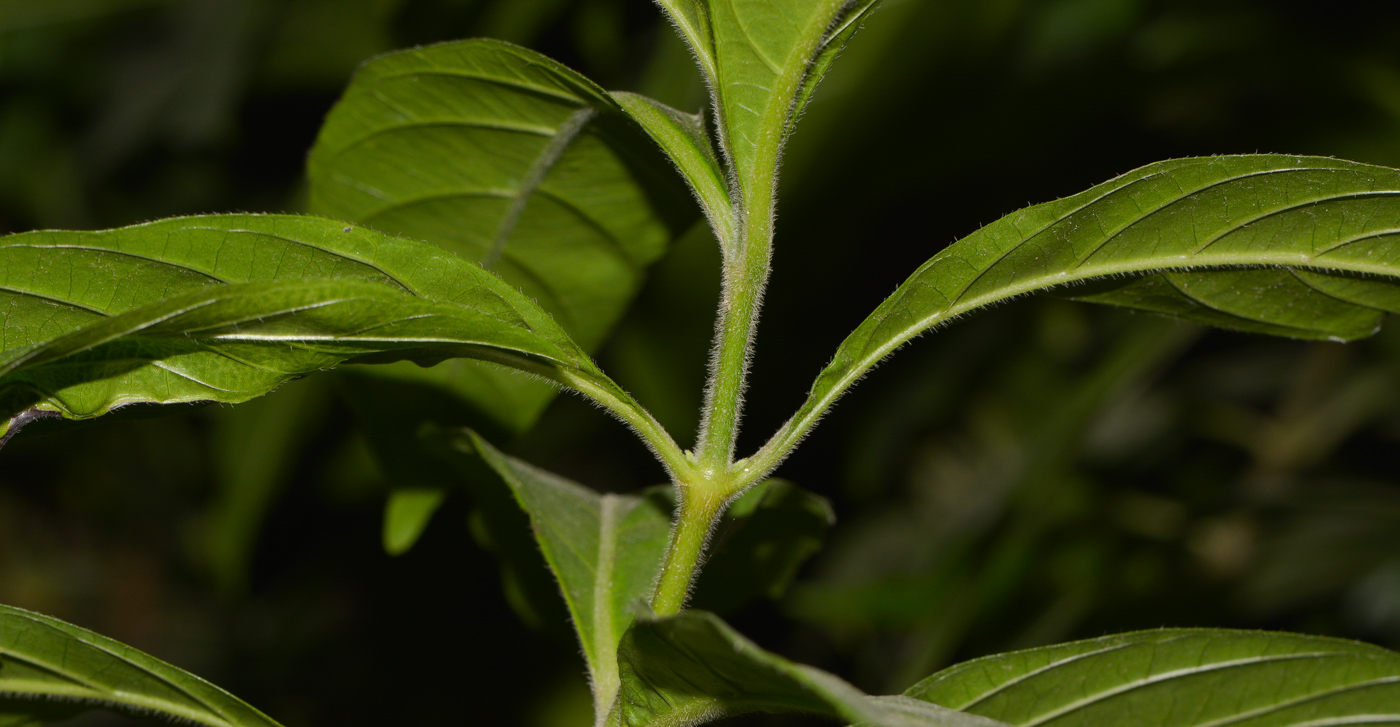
(513,160)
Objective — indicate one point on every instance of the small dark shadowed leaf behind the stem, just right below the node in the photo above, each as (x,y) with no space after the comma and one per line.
(759,546)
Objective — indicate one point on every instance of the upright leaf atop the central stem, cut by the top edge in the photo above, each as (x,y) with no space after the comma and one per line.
(764,61)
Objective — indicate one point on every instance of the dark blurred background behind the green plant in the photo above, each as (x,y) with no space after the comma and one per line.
(1041,473)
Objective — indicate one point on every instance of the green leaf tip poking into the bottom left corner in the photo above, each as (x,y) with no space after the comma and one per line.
(52,670)
